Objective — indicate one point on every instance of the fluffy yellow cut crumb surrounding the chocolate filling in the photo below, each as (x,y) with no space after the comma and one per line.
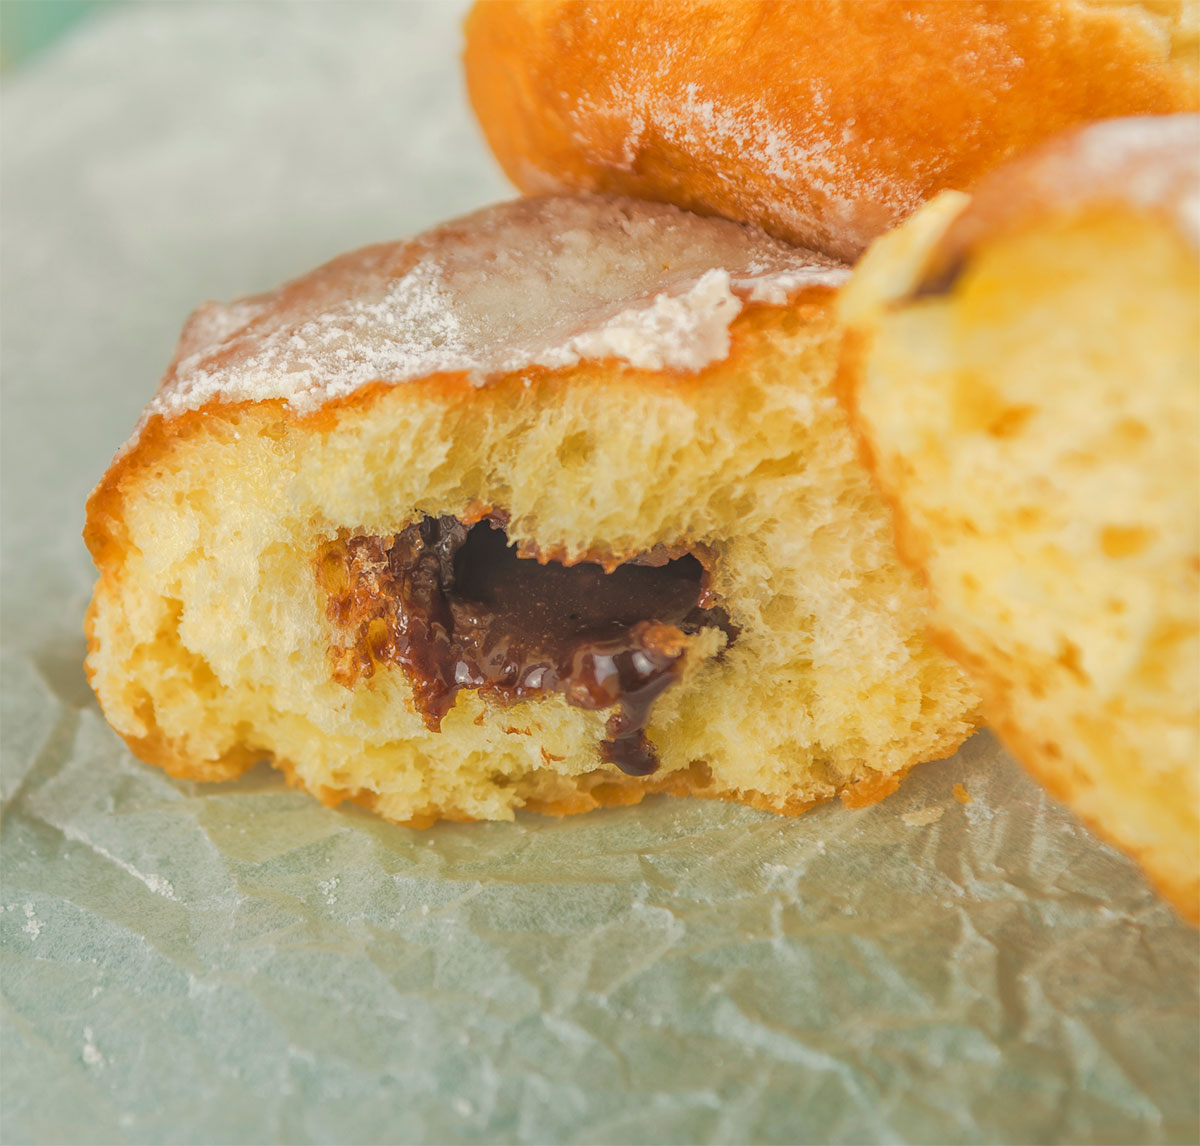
(225,629)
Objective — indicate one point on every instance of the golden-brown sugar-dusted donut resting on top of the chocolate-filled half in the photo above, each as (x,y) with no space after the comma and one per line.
(825,123)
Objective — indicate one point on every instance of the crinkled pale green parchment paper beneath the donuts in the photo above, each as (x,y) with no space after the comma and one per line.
(236,964)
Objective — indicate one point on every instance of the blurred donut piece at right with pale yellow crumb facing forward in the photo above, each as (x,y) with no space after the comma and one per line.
(1025,369)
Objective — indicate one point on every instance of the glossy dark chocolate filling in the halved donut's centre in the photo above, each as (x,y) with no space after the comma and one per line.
(459,609)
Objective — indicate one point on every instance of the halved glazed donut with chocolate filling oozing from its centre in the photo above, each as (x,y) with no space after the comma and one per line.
(550,508)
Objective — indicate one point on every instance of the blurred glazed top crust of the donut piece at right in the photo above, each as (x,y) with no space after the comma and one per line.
(1148,164)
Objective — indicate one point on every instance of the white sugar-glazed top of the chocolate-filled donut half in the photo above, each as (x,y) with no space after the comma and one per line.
(533,283)
